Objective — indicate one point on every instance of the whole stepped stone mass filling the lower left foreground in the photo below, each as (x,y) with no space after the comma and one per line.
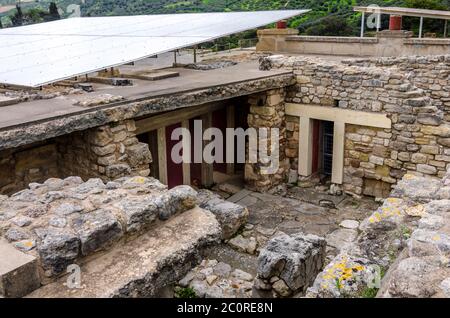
(128,238)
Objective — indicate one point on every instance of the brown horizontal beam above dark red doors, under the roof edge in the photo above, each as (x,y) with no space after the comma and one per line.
(175,116)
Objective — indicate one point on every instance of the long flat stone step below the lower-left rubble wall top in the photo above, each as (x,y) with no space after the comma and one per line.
(145,266)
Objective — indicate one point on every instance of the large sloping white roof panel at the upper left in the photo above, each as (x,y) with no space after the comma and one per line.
(44,53)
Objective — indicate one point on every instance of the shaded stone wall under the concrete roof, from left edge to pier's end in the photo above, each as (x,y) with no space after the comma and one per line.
(106,152)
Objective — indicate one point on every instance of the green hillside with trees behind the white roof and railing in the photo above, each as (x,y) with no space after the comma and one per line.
(327,17)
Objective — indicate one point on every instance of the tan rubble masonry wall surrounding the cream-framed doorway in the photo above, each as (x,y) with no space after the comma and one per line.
(413,92)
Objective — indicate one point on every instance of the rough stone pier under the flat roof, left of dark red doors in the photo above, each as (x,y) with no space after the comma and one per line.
(108,152)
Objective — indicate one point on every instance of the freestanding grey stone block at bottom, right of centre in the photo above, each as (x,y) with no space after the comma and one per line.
(296,259)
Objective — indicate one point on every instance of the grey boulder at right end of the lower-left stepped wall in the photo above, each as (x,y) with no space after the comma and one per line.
(230,215)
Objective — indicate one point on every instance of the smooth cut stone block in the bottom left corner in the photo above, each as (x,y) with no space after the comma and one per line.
(18,271)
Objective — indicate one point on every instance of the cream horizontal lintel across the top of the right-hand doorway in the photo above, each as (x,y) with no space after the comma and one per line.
(334,114)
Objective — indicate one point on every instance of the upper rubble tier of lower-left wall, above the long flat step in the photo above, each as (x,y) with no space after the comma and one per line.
(80,218)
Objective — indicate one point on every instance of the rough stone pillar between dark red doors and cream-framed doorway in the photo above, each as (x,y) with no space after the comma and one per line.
(267,110)
